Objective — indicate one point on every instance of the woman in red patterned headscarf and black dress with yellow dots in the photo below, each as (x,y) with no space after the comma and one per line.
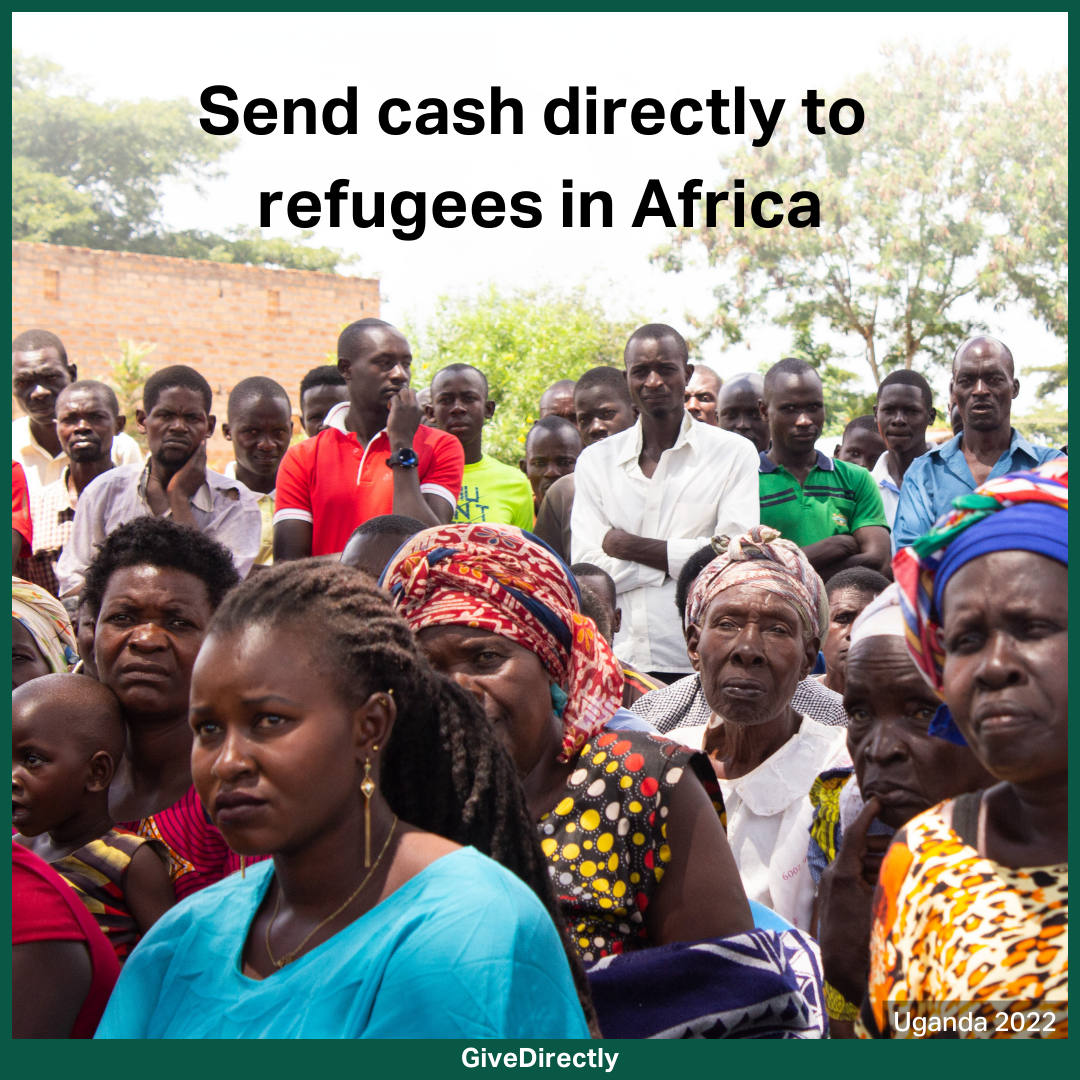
(637,850)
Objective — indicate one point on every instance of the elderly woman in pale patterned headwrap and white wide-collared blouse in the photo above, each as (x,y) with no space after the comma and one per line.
(757,616)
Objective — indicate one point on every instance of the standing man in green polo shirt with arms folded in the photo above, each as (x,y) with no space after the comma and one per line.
(831,509)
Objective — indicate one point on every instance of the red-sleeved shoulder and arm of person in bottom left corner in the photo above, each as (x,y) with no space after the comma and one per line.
(63,968)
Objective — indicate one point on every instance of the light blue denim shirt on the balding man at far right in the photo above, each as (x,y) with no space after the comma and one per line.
(936,479)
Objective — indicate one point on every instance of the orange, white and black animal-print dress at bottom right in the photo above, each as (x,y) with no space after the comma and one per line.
(956,934)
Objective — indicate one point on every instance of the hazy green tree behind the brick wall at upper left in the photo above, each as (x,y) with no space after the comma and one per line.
(92,175)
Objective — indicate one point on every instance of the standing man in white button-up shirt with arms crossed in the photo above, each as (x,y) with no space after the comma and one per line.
(650,497)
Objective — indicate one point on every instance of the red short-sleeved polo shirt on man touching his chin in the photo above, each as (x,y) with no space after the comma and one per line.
(336,484)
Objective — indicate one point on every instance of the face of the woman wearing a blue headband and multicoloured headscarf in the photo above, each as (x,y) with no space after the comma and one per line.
(1006,633)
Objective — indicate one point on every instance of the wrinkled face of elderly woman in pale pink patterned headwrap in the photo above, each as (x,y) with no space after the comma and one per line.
(753,651)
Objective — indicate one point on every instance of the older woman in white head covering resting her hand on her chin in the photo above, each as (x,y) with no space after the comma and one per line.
(901,769)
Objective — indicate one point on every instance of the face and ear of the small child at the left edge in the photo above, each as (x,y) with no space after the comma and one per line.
(50,774)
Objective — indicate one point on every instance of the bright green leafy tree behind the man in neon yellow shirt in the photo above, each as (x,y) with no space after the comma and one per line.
(523,343)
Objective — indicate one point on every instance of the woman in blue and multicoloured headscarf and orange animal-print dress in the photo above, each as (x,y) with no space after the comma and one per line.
(973,904)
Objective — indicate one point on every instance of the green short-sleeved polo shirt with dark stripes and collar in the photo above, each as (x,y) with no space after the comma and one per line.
(835,499)
